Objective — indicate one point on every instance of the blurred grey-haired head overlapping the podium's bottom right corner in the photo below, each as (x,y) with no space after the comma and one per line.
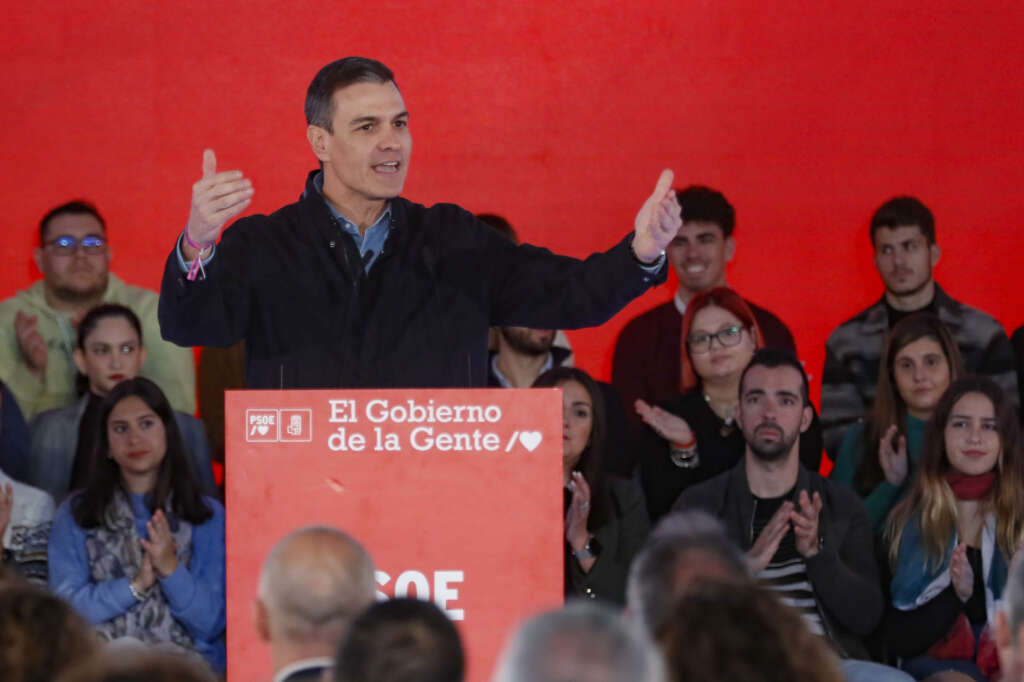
(584,643)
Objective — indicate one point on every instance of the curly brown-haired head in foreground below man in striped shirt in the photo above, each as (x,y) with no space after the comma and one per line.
(743,633)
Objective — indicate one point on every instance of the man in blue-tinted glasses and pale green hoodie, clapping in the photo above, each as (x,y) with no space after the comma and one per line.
(38,326)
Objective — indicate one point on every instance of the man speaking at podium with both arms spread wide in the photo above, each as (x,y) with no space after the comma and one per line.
(354,286)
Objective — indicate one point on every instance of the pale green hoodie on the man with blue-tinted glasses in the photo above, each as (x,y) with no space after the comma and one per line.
(172,367)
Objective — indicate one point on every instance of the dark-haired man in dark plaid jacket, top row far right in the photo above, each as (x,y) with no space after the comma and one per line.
(903,233)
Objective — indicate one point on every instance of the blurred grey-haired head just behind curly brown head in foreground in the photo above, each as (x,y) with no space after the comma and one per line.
(685,549)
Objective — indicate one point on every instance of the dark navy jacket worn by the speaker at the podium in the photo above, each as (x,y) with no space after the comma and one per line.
(293,286)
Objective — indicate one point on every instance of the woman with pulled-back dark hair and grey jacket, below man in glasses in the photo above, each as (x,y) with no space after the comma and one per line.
(110,351)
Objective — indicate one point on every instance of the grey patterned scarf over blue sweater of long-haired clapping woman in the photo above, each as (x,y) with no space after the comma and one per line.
(115,552)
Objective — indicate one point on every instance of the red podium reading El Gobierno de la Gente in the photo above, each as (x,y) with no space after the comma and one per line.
(456,494)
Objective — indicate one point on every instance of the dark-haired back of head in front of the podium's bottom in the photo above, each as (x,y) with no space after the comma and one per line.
(401,641)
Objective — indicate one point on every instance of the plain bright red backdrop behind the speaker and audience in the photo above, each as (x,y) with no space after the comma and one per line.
(559,116)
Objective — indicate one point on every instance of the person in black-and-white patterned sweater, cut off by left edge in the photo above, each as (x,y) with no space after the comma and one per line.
(26,515)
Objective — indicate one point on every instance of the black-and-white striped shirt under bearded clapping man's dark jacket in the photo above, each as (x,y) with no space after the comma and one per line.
(787,573)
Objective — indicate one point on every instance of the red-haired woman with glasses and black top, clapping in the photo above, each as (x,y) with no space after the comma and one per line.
(694,438)
